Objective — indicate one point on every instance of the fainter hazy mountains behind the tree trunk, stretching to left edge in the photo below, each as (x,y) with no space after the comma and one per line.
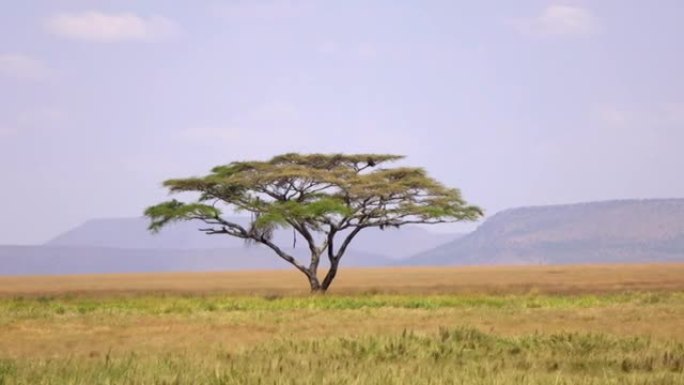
(122,245)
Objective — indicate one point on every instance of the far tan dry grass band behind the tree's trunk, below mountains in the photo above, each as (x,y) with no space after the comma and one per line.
(423,280)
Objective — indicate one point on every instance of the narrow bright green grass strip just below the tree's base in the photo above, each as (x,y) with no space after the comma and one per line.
(50,307)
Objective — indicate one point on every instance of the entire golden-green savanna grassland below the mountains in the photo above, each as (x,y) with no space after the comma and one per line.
(513,325)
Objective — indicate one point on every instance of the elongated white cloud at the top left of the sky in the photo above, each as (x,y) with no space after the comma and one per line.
(111,27)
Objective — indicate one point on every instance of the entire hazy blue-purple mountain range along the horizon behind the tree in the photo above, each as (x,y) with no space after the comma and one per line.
(597,232)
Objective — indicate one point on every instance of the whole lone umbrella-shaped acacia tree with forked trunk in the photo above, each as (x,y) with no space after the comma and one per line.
(326,198)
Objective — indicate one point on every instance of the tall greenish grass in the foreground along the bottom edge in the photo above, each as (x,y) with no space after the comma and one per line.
(450,356)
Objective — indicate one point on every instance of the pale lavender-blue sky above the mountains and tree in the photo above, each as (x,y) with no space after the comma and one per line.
(516,103)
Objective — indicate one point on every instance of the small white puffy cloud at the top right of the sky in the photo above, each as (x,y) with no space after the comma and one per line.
(559,20)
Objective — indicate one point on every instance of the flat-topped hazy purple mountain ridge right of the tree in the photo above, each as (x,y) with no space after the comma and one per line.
(597,232)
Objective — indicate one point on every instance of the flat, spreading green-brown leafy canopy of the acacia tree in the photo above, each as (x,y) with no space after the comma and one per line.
(314,189)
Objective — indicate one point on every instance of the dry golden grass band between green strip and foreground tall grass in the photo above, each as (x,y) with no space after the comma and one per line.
(94,334)
